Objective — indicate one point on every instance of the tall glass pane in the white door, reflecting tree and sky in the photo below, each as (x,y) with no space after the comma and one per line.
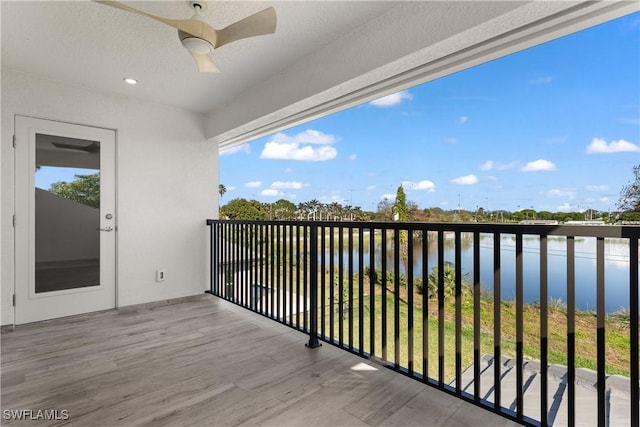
(67,213)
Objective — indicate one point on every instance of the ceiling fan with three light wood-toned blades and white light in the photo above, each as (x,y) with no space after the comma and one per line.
(200,39)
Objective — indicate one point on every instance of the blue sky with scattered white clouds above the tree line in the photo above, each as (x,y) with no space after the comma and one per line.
(555,127)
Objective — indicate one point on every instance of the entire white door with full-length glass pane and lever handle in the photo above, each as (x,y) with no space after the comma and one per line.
(65,239)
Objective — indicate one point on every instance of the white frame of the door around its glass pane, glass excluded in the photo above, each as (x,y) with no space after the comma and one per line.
(32,307)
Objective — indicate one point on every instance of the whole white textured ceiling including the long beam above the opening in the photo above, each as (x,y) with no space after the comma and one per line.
(324,56)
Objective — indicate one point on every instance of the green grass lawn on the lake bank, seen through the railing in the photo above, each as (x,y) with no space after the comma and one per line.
(617,336)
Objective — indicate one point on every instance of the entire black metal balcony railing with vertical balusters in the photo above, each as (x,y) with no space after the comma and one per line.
(471,309)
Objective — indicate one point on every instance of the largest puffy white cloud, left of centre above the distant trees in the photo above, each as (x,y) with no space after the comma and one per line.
(285,147)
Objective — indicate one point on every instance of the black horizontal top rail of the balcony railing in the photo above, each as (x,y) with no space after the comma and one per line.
(611,231)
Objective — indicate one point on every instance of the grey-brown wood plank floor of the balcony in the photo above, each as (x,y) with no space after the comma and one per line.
(202,361)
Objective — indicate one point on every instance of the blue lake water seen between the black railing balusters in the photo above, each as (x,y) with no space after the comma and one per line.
(616,267)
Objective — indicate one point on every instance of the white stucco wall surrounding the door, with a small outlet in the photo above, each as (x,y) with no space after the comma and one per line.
(167,182)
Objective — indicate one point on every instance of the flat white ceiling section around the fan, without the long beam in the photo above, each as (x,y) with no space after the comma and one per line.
(97,46)
